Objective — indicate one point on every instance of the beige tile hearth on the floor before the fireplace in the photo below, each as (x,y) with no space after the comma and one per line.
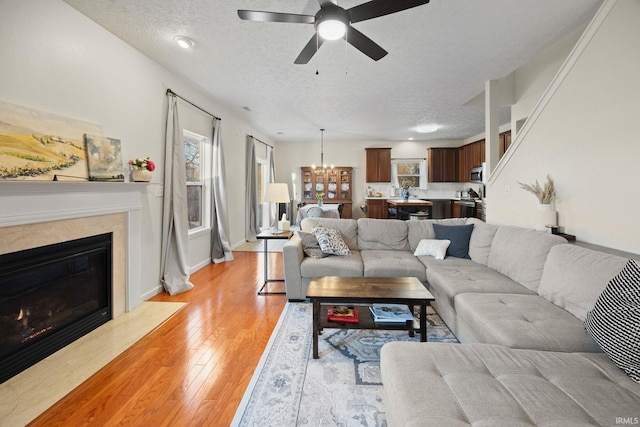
(31,392)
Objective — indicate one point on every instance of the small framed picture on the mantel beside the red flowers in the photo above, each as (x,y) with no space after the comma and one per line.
(104,158)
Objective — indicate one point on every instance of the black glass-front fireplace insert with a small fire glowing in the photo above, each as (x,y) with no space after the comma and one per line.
(50,296)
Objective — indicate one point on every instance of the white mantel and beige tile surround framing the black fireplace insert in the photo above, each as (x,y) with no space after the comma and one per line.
(34,214)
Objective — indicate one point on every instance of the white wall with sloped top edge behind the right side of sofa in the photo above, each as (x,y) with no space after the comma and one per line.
(586,137)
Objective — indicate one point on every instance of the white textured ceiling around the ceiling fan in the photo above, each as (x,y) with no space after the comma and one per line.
(440,56)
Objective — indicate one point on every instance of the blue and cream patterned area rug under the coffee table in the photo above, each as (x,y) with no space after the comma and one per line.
(341,388)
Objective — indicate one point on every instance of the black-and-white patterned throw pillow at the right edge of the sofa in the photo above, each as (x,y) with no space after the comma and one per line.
(614,322)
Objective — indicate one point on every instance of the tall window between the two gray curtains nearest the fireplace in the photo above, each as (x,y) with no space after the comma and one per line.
(197,149)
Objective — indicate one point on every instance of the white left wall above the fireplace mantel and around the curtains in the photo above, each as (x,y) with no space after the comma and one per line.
(57,60)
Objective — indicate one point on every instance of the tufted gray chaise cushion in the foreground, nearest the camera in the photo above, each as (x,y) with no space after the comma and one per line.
(443,384)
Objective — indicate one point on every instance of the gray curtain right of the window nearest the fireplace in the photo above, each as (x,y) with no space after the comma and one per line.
(220,246)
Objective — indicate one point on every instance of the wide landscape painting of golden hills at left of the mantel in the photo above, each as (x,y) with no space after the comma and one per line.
(36,145)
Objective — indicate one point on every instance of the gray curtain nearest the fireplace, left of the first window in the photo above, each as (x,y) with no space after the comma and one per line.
(174,266)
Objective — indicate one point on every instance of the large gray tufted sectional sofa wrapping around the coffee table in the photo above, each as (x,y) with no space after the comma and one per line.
(517,305)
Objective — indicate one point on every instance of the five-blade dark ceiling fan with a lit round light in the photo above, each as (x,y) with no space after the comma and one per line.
(333,22)
